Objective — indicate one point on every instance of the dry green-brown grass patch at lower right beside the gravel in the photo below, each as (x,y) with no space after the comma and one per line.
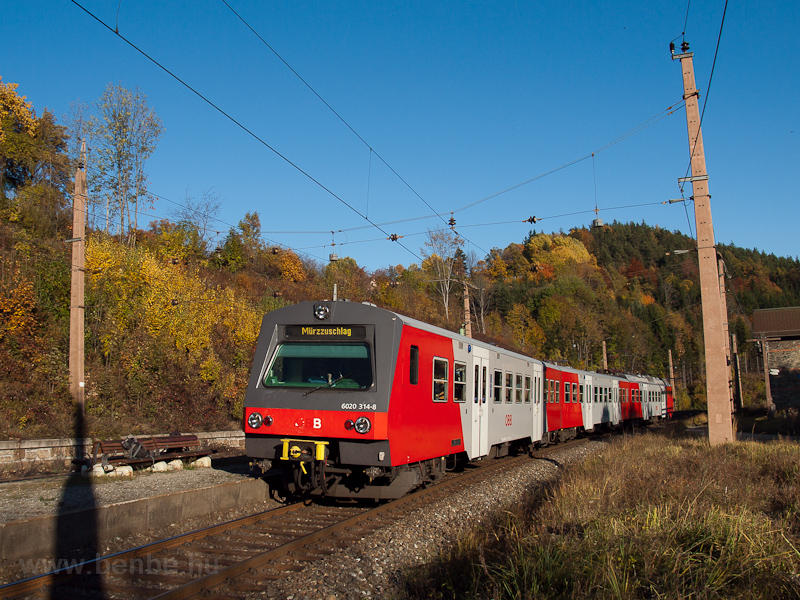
(653,517)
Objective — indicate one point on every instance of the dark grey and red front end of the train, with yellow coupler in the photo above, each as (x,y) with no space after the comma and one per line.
(317,404)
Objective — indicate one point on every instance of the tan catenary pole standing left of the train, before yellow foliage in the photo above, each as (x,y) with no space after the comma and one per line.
(76,305)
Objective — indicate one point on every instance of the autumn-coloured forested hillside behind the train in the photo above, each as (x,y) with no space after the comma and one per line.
(171,320)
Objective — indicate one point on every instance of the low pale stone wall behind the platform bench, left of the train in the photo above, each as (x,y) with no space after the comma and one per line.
(28,454)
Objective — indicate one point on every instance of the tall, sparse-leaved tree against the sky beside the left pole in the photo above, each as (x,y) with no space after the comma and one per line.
(124,135)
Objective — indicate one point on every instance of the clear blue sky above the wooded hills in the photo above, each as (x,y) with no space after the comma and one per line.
(462,100)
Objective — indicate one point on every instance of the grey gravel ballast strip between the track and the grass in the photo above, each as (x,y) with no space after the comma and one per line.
(372,568)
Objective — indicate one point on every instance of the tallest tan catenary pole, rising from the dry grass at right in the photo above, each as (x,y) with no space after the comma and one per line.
(720,426)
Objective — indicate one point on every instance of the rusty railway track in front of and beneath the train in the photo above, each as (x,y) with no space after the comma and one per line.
(238,558)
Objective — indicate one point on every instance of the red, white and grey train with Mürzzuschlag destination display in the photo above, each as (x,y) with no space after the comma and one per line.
(353,401)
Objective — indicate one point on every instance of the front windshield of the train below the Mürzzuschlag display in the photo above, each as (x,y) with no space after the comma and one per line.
(309,365)
